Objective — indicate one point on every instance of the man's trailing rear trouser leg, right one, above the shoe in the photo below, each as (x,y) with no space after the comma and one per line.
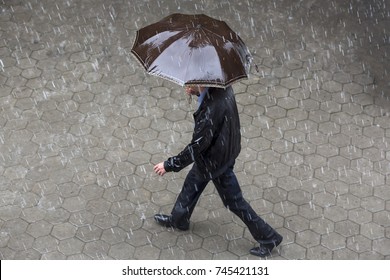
(231,195)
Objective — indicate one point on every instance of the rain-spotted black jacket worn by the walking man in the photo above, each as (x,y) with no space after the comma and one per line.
(216,140)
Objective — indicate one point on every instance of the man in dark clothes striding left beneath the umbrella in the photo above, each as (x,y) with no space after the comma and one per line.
(215,144)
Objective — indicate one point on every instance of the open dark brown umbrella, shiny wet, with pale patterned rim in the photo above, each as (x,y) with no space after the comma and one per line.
(192,50)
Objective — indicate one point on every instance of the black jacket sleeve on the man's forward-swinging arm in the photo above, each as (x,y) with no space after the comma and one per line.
(204,131)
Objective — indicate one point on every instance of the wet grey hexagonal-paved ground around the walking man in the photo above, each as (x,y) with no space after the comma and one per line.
(81,126)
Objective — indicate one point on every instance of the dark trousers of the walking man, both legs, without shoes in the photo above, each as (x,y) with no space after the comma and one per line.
(230,192)
